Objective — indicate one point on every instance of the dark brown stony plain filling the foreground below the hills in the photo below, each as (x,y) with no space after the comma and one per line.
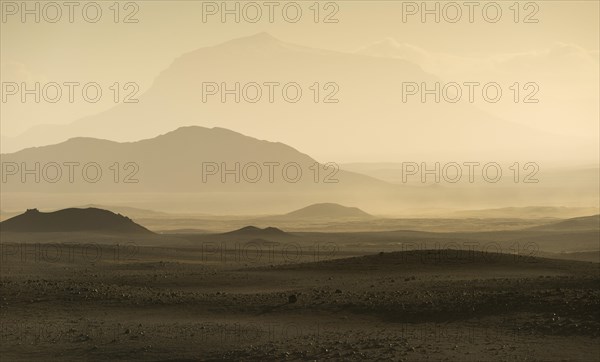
(174,304)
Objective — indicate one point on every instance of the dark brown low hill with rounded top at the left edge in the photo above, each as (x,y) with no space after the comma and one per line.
(72,220)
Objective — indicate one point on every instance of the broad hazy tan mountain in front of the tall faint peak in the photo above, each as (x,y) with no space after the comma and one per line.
(173,162)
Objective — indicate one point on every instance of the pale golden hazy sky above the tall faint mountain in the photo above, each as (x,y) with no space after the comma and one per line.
(108,52)
